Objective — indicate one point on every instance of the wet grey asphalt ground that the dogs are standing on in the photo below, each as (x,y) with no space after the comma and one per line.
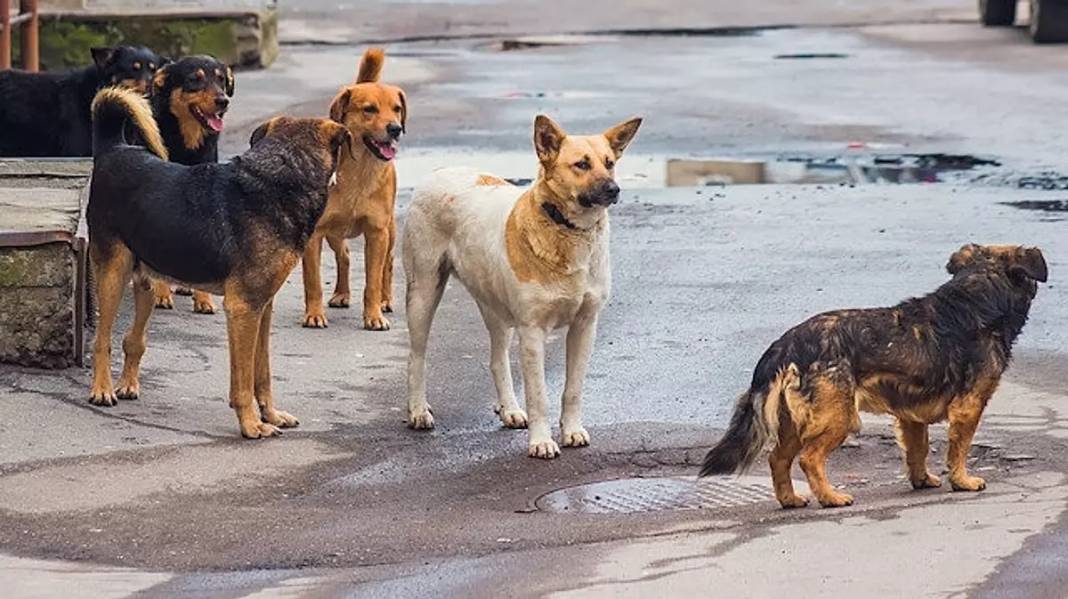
(355,503)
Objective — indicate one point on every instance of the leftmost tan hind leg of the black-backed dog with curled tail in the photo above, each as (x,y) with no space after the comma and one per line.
(113,269)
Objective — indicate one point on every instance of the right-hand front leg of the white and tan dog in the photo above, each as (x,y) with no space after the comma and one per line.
(580,342)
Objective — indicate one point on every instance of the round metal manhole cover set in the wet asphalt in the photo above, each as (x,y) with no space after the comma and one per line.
(631,496)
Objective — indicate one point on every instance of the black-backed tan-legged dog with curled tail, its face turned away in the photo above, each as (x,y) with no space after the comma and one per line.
(237,229)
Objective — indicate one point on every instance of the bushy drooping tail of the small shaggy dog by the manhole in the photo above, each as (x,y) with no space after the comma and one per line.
(756,422)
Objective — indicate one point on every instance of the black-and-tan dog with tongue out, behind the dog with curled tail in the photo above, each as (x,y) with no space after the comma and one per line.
(191,97)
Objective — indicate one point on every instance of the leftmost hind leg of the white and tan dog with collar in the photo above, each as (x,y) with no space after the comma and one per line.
(427,285)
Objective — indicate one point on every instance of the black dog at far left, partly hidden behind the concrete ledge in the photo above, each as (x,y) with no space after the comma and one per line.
(48,114)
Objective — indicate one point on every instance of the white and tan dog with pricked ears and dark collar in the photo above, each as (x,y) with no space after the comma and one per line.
(535,261)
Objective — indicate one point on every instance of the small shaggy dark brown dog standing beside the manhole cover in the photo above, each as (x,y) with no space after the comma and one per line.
(926,360)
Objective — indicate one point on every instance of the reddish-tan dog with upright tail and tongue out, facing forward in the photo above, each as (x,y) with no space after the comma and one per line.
(363,201)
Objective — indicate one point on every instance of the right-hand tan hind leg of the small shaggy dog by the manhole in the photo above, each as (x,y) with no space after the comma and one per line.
(831,421)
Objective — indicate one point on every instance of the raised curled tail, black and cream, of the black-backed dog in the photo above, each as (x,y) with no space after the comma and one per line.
(113,108)
